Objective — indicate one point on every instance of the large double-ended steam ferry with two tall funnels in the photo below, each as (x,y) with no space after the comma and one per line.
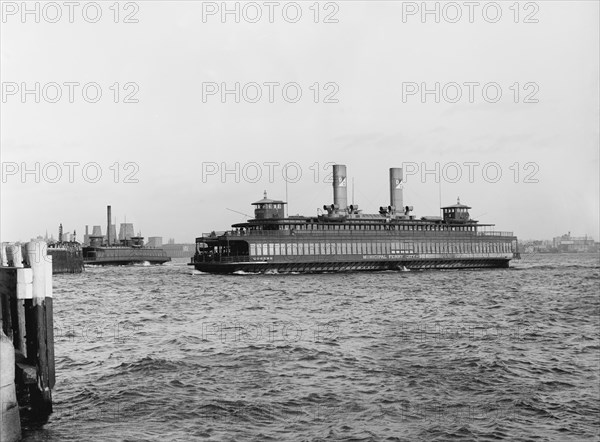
(342,238)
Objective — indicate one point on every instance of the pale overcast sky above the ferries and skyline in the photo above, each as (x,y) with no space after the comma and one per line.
(542,135)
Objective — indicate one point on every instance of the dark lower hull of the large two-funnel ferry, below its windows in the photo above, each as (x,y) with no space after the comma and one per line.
(352,266)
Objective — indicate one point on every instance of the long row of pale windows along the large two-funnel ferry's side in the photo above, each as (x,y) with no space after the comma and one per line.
(377,248)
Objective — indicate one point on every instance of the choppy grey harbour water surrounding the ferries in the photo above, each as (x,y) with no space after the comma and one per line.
(167,353)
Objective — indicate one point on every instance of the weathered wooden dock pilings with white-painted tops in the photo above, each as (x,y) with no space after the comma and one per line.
(26,318)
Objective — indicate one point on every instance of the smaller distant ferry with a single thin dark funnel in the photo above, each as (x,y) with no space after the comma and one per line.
(129,250)
